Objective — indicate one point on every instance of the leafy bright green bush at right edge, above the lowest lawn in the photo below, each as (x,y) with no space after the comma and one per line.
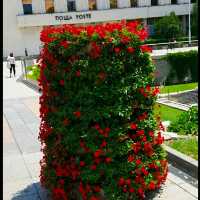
(187,122)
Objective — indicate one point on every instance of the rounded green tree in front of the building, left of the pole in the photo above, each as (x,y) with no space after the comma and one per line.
(168,27)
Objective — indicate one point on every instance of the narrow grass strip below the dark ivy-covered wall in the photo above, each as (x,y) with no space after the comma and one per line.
(178,87)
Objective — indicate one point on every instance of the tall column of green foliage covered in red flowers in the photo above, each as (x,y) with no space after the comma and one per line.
(97,127)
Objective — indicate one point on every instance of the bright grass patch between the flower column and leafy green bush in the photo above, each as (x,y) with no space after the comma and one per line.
(167,113)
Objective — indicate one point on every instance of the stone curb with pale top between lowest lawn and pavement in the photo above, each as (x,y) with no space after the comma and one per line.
(182,162)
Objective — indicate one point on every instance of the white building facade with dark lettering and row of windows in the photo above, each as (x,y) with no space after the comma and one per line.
(24,19)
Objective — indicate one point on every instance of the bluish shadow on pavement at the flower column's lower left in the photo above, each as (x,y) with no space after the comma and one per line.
(32,192)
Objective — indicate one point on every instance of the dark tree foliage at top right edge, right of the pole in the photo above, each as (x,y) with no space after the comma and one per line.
(194,21)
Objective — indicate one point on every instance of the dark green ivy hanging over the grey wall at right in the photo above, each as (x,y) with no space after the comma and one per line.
(182,63)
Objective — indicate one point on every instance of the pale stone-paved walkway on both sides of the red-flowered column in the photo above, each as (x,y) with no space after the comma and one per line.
(21,150)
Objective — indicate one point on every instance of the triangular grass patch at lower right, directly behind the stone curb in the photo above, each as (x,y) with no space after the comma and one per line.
(186,146)
